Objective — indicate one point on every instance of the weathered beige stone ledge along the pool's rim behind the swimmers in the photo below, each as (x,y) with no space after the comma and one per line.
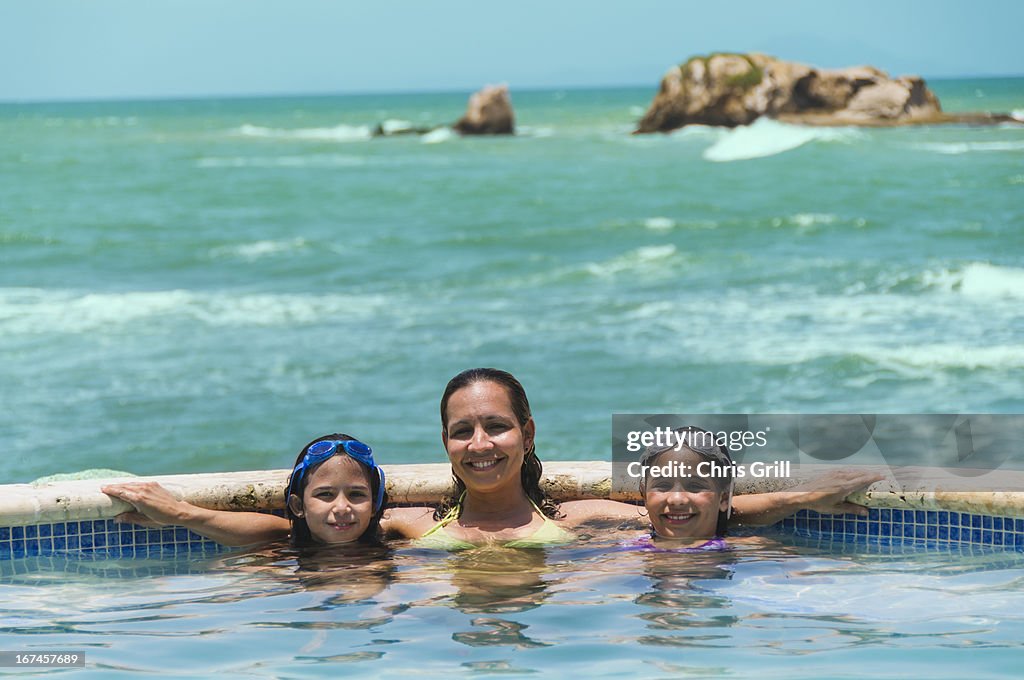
(914,489)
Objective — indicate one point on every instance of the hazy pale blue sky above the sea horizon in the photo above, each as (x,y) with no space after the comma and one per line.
(82,50)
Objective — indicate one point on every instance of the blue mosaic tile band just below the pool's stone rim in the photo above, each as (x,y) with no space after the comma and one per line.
(883,528)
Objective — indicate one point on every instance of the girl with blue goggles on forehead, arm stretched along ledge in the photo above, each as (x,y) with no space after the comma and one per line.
(336,495)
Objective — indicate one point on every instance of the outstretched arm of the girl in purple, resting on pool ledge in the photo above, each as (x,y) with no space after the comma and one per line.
(826,494)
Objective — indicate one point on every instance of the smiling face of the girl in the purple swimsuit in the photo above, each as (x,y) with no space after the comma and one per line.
(684,507)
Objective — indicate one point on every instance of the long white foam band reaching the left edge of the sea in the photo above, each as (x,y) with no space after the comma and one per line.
(32,312)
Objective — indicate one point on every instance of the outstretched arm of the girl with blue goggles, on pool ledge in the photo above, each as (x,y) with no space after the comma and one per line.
(155,506)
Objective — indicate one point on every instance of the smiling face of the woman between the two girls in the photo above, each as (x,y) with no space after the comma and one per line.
(484,439)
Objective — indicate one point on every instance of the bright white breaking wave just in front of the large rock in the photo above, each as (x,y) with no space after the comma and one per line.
(767,138)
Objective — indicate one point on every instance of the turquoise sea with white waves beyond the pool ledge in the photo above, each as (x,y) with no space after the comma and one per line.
(198,286)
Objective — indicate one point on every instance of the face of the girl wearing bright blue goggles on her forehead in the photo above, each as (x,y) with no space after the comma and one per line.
(337,502)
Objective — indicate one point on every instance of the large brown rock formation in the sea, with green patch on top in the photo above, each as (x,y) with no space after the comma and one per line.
(731,90)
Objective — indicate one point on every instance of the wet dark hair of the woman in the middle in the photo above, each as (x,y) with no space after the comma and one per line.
(533,471)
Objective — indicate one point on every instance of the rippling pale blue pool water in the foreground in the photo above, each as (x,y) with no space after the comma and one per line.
(776,607)
